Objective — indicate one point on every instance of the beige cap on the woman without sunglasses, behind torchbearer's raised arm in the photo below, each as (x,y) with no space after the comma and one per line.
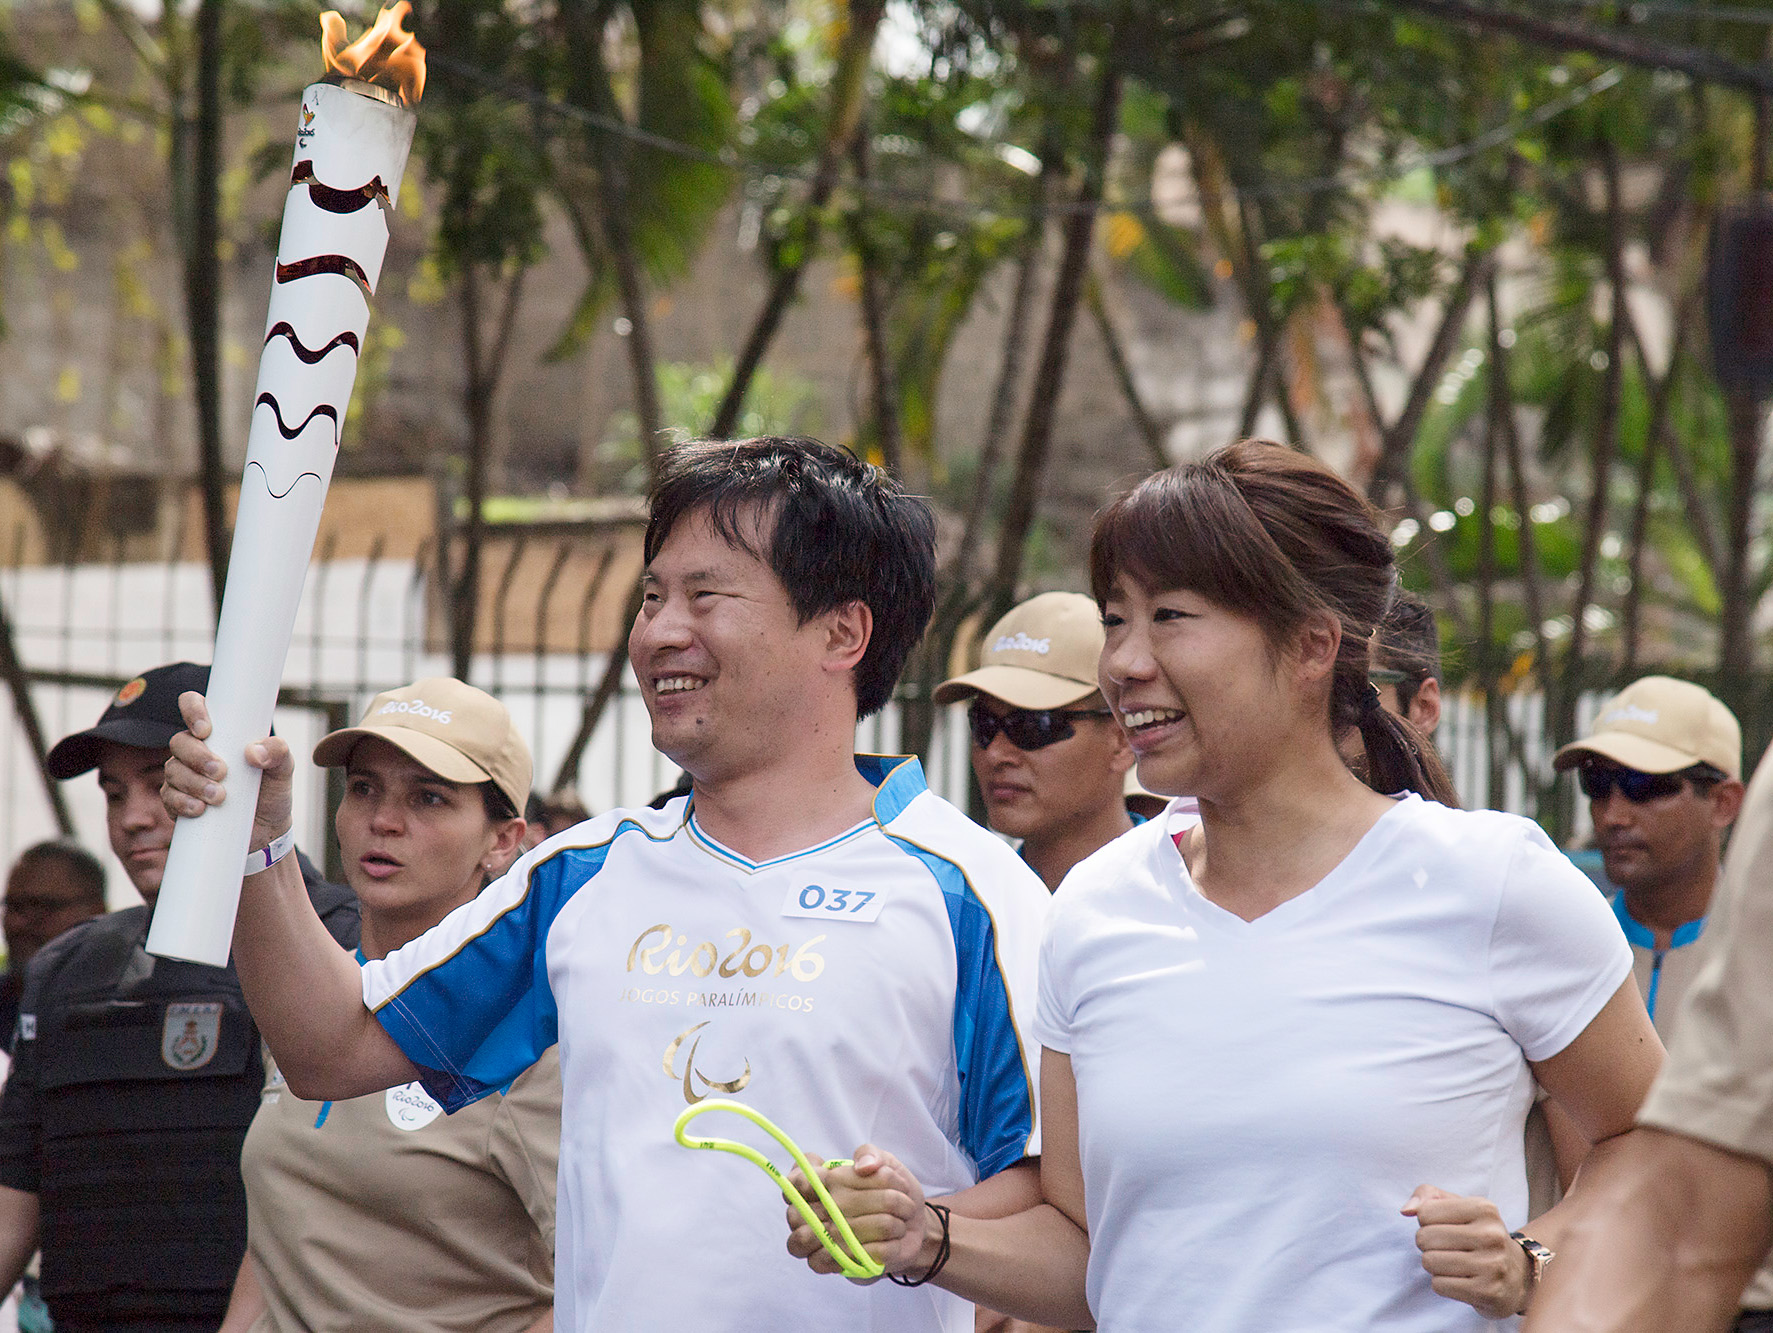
(460,733)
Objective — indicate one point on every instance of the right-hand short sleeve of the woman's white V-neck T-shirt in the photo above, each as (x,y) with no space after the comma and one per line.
(1556,951)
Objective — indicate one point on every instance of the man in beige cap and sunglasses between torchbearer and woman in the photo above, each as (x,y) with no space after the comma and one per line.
(1051,760)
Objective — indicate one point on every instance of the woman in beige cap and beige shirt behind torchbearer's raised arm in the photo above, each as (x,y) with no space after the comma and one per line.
(384,1213)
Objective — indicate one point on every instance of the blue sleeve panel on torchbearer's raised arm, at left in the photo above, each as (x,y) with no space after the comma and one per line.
(485,1013)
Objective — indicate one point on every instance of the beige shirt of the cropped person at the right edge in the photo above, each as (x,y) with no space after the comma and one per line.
(1719,1080)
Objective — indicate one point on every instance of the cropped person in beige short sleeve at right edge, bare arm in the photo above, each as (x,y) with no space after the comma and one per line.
(1687,1213)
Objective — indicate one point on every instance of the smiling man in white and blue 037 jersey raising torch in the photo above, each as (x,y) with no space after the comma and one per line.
(809,932)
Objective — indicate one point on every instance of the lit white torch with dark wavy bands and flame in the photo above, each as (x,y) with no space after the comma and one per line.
(352,143)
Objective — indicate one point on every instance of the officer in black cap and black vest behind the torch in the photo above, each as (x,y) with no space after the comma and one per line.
(134,1077)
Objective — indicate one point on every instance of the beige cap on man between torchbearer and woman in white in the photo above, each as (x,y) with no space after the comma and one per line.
(1042,655)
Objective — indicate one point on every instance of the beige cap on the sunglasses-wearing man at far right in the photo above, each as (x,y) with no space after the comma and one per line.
(1662,726)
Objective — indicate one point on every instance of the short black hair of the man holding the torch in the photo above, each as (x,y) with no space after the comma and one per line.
(843,533)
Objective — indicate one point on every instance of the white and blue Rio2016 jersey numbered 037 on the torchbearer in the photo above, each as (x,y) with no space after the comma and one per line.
(871,990)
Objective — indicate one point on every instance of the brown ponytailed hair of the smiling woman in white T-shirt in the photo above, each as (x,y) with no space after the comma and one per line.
(1276,536)
